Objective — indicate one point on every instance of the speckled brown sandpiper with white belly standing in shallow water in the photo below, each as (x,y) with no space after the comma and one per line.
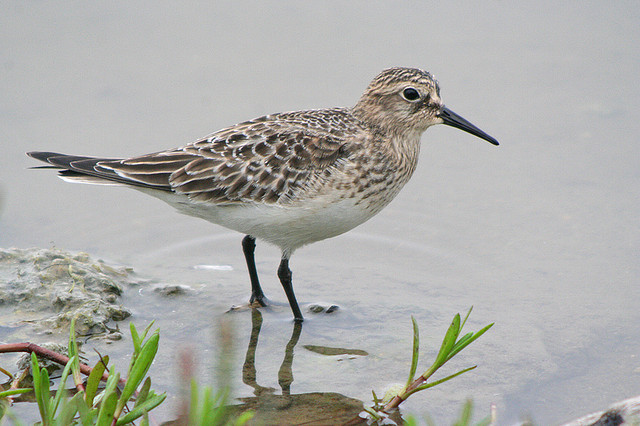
(290,178)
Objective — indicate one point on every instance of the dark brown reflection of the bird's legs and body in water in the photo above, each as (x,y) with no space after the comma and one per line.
(308,408)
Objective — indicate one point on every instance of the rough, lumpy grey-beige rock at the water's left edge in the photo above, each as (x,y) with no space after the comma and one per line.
(46,288)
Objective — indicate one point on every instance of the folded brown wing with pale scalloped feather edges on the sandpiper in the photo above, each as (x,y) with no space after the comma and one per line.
(267,160)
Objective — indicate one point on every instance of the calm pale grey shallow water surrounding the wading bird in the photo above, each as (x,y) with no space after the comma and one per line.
(540,234)
